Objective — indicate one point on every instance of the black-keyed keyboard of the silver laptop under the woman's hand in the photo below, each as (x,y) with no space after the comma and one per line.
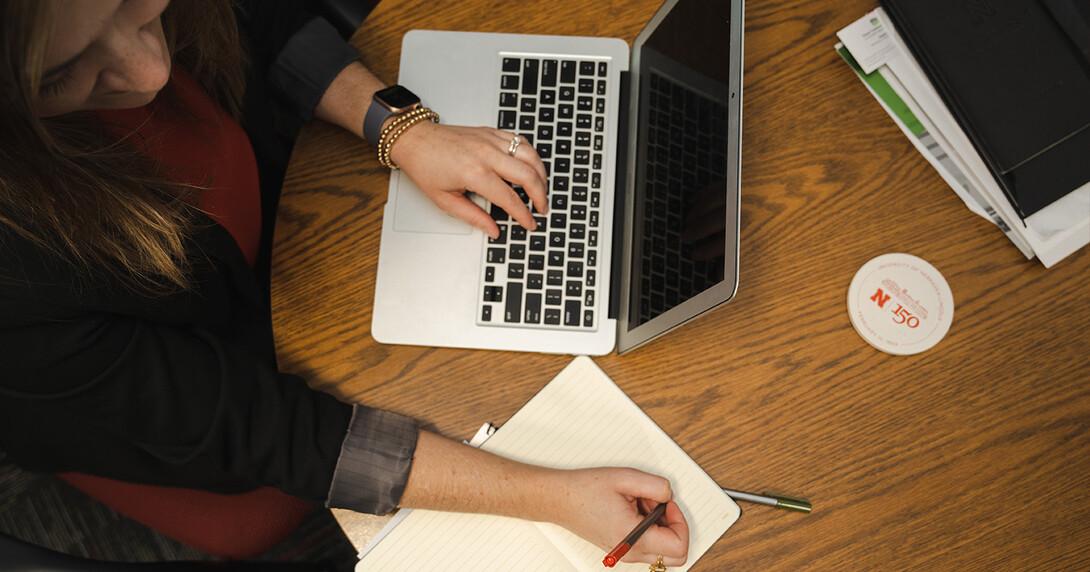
(549,278)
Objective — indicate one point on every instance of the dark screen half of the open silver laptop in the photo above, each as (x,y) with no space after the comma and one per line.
(682,197)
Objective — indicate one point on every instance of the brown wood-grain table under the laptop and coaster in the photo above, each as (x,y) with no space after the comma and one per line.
(974,455)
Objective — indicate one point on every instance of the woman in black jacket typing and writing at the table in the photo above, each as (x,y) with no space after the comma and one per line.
(136,334)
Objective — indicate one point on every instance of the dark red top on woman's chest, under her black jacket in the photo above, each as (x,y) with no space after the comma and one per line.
(208,149)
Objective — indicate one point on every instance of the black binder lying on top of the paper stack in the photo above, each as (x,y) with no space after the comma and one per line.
(1016,76)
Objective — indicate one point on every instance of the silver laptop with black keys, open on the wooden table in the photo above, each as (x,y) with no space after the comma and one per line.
(643,150)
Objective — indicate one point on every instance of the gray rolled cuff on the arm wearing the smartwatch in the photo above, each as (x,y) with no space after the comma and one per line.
(308,65)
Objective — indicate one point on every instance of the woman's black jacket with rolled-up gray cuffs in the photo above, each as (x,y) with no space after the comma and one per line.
(184,391)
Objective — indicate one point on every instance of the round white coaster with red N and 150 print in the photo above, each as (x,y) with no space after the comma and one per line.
(901,305)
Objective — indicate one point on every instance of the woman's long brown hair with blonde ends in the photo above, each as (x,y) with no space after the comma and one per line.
(76,189)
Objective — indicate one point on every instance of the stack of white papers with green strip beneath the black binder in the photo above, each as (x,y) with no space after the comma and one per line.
(883,63)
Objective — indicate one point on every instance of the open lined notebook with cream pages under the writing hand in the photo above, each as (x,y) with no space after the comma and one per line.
(580,419)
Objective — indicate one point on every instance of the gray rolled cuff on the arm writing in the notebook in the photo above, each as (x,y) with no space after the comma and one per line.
(374,463)
